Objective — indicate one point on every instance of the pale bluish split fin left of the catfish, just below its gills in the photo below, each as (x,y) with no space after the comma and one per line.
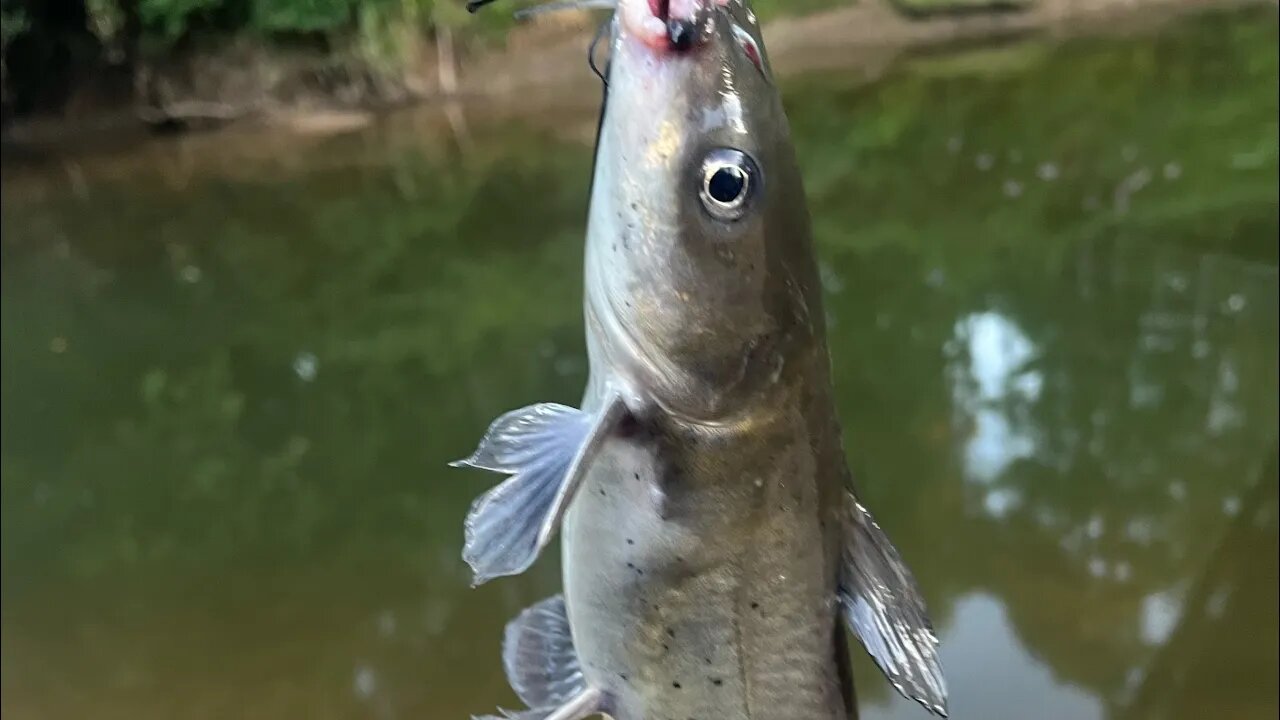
(546,449)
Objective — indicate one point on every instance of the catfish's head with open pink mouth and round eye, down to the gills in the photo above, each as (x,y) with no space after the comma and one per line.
(701,271)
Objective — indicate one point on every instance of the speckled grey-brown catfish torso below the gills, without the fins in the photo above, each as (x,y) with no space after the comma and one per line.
(705,595)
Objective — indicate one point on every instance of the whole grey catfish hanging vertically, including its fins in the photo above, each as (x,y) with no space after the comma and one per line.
(711,540)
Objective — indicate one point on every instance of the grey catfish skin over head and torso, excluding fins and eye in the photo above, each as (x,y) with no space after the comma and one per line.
(702,554)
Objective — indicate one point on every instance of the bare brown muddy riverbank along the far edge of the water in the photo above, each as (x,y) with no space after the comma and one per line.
(540,69)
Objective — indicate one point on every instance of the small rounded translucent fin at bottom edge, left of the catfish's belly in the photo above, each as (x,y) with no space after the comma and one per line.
(543,669)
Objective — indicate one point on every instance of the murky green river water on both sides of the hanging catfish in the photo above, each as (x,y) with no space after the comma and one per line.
(234,372)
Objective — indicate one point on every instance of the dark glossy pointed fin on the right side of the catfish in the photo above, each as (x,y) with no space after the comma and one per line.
(884,608)
